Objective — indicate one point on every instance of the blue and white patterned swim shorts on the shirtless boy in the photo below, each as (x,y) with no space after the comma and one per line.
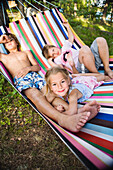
(31,80)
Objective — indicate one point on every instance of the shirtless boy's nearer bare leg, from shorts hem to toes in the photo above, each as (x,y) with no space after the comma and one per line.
(73,123)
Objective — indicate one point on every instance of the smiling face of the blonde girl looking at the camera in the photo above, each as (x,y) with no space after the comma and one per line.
(59,85)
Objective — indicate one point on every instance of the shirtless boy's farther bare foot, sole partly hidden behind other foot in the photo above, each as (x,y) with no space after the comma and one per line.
(93,107)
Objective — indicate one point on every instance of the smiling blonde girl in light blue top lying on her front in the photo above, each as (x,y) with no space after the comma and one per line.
(77,89)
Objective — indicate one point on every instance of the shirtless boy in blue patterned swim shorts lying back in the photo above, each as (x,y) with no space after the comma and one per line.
(21,64)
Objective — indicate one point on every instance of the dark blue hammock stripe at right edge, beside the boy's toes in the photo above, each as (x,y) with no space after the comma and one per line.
(105,116)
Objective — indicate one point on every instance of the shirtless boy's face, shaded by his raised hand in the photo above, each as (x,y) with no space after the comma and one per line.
(10,44)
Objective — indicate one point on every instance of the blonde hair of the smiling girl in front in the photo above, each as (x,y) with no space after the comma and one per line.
(54,71)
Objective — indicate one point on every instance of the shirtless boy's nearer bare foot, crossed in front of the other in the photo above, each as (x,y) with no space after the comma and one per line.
(74,122)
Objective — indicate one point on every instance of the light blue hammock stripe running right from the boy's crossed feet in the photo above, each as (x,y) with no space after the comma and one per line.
(100,129)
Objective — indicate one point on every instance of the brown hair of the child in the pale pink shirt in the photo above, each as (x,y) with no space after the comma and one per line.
(45,50)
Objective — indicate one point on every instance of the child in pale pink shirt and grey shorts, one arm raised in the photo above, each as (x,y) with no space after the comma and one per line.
(79,61)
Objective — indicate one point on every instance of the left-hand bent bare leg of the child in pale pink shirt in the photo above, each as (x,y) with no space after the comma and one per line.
(87,58)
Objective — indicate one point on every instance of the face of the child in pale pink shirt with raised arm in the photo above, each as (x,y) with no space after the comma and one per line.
(54,52)
